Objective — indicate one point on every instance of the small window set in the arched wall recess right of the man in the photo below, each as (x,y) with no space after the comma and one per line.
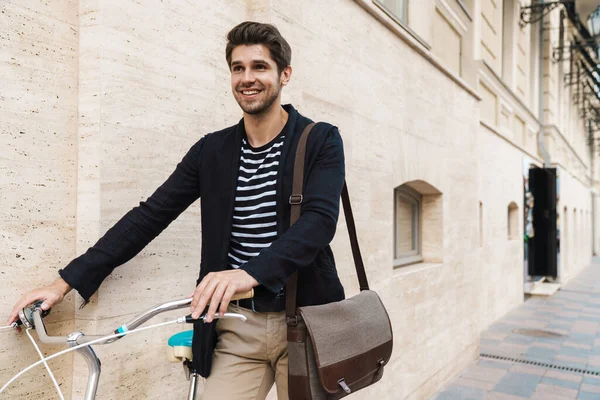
(407,223)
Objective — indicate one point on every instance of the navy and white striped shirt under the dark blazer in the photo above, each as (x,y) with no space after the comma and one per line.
(254,215)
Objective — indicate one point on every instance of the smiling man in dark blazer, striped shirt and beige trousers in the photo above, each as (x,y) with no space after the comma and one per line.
(243,174)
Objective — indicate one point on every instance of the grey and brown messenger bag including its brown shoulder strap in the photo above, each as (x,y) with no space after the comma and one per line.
(338,348)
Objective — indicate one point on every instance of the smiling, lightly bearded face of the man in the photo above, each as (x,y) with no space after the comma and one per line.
(255,82)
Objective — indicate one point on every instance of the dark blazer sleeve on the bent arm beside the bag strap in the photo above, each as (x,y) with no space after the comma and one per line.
(315,228)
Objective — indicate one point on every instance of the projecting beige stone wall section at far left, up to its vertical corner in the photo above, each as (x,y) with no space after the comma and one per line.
(38,138)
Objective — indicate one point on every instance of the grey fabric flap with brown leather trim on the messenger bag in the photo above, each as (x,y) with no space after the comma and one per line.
(351,338)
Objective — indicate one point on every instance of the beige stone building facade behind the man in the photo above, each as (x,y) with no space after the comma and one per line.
(443,106)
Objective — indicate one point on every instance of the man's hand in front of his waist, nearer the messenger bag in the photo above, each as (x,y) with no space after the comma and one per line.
(218,288)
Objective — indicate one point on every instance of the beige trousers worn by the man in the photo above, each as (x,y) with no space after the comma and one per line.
(250,356)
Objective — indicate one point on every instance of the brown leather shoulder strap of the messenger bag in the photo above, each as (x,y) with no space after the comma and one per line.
(296,205)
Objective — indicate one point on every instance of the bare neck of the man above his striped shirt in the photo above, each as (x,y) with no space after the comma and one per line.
(262,128)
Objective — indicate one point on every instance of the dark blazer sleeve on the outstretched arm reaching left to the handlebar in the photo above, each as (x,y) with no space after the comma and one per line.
(138,227)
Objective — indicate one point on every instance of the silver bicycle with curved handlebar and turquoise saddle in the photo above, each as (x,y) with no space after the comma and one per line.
(179,345)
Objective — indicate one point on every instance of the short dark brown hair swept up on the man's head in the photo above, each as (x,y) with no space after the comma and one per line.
(250,32)
